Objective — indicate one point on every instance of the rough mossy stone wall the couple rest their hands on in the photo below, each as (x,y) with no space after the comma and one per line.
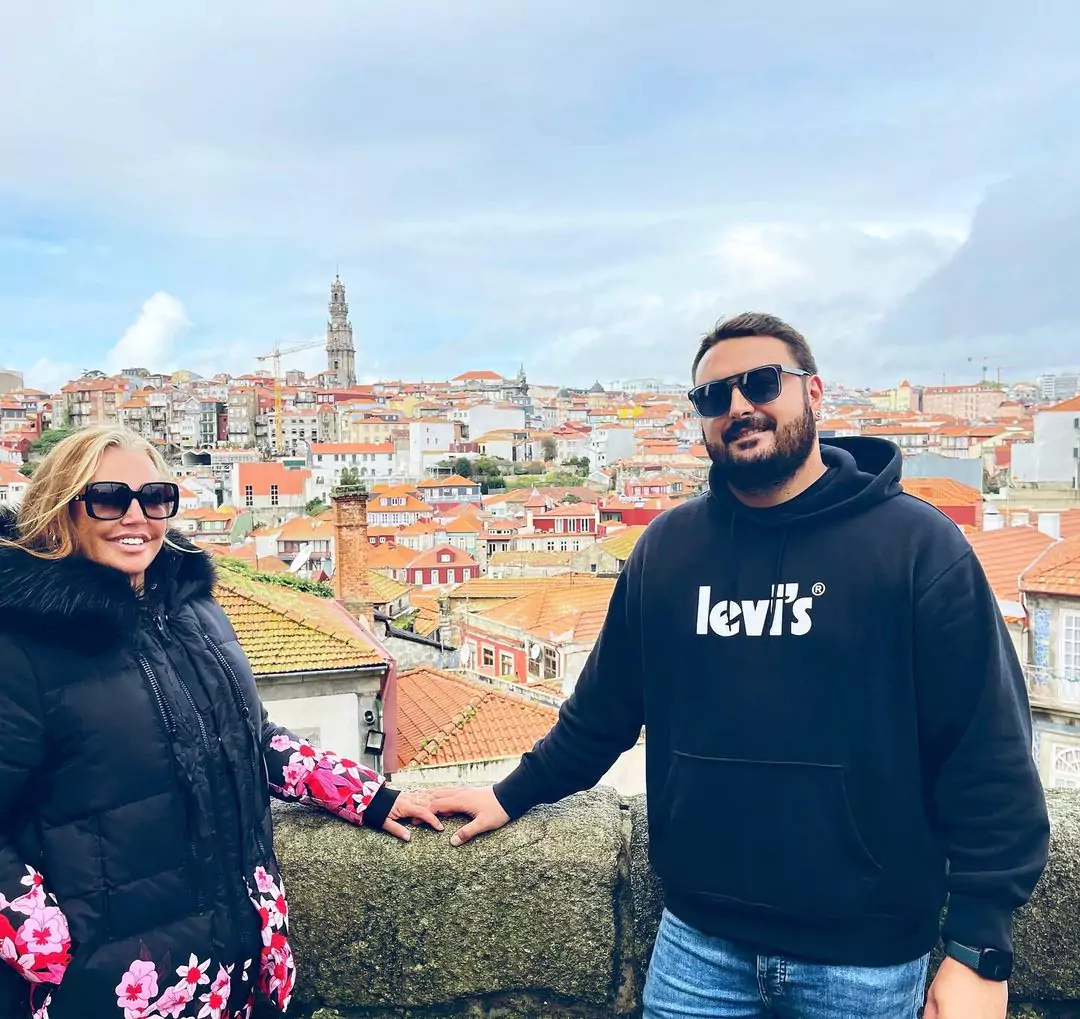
(553,916)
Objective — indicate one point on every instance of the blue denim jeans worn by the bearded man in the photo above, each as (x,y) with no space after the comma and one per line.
(695,975)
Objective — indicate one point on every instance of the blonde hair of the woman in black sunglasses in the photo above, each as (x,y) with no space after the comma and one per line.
(45,525)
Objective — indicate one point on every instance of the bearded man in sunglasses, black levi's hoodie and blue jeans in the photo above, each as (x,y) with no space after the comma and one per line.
(838,730)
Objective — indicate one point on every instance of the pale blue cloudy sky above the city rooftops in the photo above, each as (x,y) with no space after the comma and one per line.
(582,188)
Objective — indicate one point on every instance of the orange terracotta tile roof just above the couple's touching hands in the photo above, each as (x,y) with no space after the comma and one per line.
(447,719)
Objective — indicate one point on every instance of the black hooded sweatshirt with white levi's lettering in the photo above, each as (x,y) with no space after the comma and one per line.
(838,728)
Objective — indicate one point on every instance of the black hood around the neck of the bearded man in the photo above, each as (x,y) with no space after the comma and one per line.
(866,472)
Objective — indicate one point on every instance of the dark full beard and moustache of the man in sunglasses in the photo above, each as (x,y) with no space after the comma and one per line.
(760,473)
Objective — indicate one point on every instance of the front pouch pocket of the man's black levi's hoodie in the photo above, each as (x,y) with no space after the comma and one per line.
(769,835)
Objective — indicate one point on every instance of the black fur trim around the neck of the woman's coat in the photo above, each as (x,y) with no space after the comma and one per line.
(78,603)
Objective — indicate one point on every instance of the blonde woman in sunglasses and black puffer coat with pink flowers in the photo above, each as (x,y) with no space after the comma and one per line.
(138,877)
